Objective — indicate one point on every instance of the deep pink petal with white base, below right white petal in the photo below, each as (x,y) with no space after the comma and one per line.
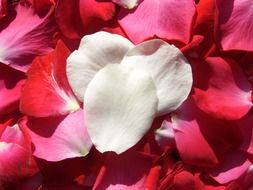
(192,145)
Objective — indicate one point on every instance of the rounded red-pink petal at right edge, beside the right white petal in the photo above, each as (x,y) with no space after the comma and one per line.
(228,92)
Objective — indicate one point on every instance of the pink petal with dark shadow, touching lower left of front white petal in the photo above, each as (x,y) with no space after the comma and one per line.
(59,138)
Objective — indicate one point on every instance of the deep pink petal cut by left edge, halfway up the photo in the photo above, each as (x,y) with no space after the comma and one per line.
(11,82)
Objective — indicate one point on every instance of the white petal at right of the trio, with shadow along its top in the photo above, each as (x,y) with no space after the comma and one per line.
(169,68)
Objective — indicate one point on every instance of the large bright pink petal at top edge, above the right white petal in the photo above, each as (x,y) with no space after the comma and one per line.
(168,19)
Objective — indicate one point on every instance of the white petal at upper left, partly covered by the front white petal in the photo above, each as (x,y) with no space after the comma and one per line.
(95,51)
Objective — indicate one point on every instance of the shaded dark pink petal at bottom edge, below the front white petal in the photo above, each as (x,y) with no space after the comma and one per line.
(128,171)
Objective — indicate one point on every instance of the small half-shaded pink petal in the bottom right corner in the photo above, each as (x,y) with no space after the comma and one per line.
(234,165)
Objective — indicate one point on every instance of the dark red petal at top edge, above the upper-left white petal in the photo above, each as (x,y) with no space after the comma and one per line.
(80,17)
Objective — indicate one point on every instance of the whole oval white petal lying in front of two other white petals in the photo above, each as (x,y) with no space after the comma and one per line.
(120,104)
